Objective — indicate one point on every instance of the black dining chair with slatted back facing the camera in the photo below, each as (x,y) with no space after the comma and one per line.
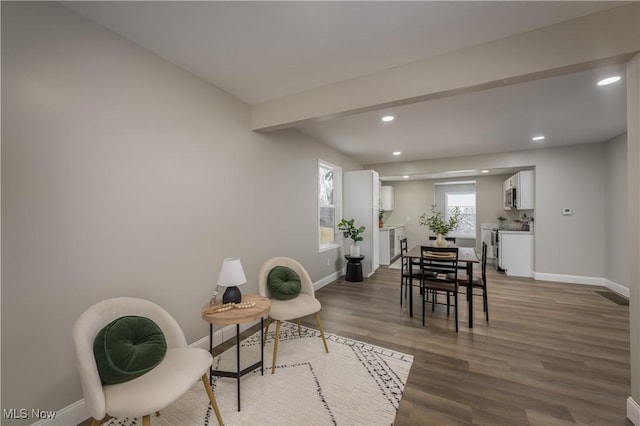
(439,266)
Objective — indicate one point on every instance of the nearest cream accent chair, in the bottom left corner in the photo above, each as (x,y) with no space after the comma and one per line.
(181,367)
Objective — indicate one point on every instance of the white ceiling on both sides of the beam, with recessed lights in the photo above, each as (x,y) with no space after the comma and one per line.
(260,51)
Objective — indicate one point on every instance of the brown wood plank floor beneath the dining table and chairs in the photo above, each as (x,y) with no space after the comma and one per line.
(551,353)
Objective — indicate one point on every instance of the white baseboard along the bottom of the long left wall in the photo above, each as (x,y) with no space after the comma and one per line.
(77,413)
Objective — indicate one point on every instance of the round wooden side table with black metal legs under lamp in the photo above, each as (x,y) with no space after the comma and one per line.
(237,316)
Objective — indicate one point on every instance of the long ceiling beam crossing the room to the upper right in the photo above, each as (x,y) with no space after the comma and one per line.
(599,39)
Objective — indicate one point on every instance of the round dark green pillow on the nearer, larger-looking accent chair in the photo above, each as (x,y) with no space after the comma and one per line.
(127,348)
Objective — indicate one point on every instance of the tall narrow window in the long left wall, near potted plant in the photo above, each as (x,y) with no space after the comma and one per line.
(329,204)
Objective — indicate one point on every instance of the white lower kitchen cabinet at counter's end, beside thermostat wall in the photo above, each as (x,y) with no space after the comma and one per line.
(515,253)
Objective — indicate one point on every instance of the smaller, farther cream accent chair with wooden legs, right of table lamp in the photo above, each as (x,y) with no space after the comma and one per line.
(293,309)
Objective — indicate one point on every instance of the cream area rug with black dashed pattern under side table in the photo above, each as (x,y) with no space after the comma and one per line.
(354,384)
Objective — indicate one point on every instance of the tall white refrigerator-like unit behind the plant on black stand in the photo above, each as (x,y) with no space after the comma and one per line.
(361,201)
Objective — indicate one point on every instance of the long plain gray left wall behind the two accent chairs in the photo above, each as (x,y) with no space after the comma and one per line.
(124,175)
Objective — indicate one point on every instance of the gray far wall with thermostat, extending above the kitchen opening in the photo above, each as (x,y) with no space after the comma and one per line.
(564,177)
